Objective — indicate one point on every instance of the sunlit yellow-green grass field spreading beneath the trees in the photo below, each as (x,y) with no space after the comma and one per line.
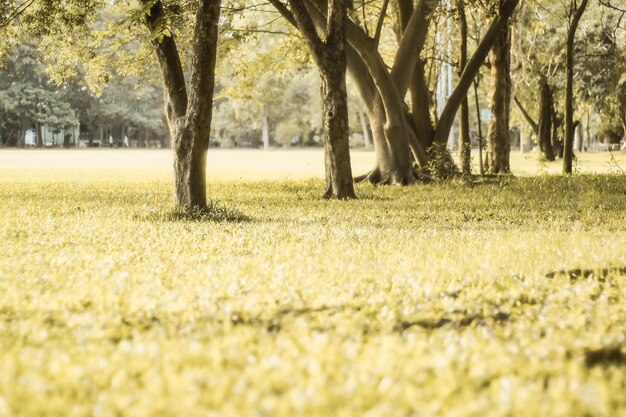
(429,300)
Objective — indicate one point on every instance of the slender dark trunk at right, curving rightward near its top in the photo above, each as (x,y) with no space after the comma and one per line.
(568,144)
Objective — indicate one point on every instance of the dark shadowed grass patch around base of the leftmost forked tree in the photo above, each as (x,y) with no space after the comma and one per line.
(215,212)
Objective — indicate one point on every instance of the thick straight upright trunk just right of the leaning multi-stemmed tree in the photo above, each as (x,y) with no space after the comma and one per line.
(498,141)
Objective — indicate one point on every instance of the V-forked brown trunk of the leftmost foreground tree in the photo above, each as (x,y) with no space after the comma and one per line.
(189,114)
